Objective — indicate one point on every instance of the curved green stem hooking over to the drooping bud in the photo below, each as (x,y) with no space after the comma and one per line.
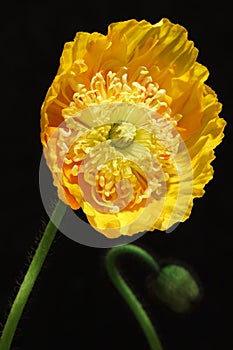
(127,293)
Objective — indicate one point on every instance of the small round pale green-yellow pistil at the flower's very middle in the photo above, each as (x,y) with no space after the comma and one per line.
(122,134)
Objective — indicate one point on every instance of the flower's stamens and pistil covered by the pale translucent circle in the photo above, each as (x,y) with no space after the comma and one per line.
(118,155)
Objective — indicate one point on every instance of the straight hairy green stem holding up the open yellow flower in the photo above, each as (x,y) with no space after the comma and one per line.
(30,277)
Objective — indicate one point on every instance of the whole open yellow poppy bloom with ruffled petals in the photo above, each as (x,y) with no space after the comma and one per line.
(129,127)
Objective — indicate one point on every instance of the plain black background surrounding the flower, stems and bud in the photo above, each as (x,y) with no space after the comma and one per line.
(73,305)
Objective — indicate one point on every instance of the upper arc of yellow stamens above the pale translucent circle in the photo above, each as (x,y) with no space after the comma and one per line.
(108,87)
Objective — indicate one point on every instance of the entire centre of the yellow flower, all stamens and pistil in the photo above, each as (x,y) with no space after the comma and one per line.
(122,141)
